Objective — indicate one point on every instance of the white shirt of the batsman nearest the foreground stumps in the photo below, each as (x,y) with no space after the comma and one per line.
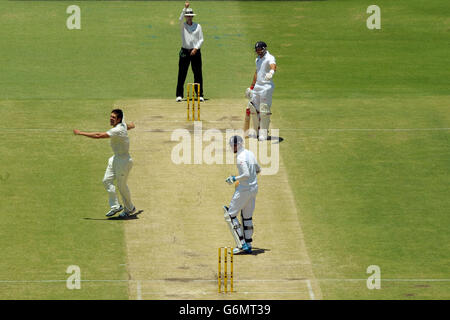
(247,166)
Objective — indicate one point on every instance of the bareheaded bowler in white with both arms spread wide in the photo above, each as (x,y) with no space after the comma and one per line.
(119,165)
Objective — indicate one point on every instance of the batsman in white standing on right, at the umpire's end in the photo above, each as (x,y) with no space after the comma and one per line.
(261,90)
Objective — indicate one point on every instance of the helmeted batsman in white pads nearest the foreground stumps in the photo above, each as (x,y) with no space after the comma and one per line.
(244,197)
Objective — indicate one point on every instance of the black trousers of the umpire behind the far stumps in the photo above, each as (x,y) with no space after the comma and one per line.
(183,66)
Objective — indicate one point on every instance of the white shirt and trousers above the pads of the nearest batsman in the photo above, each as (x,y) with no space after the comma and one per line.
(244,196)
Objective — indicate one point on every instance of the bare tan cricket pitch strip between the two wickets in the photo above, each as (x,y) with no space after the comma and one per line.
(172,246)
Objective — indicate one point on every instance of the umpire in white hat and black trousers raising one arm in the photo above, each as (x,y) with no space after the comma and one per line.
(192,39)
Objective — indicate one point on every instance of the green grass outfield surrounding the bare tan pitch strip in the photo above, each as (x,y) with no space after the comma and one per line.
(366,193)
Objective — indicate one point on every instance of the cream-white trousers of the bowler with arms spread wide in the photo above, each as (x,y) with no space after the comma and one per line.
(118,169)
